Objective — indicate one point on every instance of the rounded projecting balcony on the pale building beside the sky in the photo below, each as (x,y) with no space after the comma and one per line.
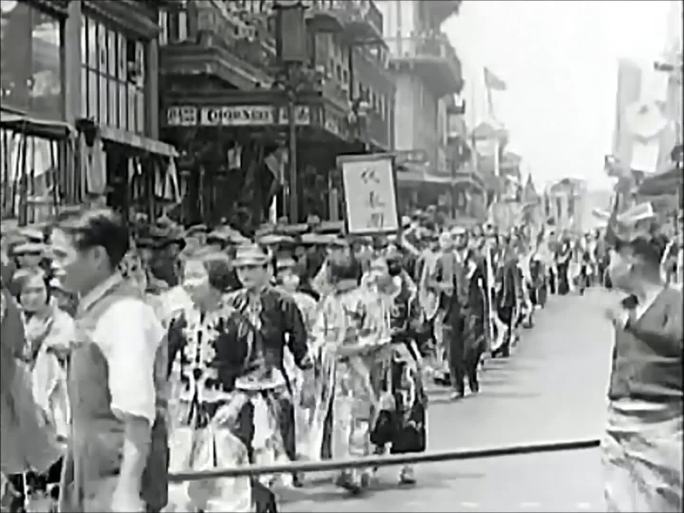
(432,56)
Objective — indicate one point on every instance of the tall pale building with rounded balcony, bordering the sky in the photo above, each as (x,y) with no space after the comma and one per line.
(427,75)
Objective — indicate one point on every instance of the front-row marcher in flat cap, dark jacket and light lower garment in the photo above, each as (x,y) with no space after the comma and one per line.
(266,391)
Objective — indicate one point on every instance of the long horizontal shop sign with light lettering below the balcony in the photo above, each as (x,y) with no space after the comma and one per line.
(236,115)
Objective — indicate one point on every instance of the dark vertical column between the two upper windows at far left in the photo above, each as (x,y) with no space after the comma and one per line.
(72,63)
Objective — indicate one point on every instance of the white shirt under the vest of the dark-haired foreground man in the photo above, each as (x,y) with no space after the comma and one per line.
(128,333)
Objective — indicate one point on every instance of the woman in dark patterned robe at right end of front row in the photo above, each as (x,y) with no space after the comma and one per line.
(402,423)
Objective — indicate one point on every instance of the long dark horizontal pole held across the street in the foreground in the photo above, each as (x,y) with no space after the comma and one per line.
(383,460)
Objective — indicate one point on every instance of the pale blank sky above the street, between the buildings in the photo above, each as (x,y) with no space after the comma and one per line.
(559,61)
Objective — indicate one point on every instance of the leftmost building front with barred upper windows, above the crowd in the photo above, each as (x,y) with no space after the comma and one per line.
(79,107)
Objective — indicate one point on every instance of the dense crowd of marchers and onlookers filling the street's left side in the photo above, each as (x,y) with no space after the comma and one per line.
(150,349)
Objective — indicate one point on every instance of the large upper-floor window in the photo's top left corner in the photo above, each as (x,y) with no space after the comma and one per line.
(31,79)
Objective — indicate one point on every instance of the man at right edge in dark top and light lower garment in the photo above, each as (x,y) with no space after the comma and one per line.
(642,447)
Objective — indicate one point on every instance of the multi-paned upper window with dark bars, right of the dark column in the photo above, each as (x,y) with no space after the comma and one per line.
(112,77)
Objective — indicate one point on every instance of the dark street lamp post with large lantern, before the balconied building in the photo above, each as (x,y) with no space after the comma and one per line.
(291,48)
